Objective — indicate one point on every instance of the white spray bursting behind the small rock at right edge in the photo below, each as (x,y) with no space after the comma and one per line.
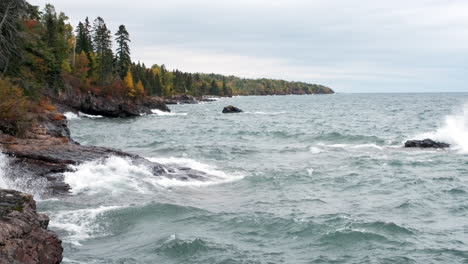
(454,131)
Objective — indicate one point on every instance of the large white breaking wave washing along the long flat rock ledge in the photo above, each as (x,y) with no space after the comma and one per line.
(117,175)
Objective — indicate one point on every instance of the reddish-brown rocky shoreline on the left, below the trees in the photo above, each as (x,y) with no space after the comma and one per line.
(40,157)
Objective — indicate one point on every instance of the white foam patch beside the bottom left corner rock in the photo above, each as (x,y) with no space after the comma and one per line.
(80,224)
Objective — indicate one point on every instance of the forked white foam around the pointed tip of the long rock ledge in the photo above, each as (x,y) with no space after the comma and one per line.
(215,176)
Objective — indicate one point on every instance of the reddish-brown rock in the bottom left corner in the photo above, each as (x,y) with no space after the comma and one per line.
(24,237)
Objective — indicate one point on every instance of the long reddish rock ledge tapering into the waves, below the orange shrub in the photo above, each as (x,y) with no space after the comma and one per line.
(46,151)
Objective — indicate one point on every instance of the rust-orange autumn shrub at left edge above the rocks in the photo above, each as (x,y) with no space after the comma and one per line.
(14,108)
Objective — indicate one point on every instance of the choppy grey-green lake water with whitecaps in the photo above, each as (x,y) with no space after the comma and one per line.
(295,179)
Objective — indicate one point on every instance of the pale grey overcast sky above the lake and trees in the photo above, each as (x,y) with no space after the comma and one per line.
(352,46)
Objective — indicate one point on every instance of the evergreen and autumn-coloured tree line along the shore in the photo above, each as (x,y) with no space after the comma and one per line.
(42,52)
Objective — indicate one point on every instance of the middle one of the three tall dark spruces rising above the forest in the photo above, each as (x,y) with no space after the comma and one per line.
(103,47)
